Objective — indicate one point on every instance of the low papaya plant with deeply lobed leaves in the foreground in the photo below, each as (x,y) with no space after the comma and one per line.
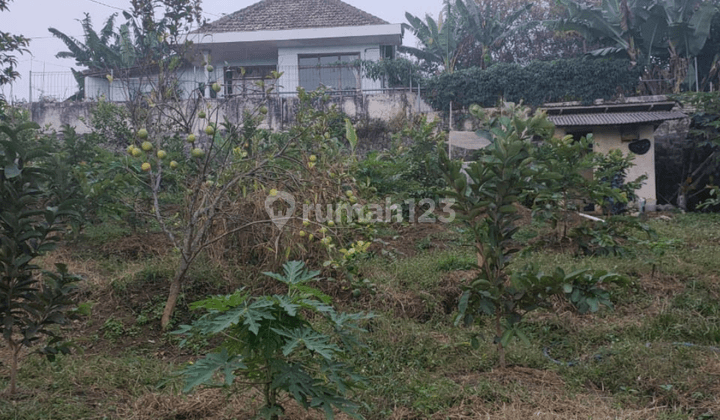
(293,343)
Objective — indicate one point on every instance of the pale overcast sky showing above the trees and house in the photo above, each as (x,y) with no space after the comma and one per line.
(32,18)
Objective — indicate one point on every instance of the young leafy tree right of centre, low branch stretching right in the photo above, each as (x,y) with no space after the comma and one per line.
(487,194)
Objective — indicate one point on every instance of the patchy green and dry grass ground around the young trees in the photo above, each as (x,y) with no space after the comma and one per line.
(654,356)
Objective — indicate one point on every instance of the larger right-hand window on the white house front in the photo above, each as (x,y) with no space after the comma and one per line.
(335,72)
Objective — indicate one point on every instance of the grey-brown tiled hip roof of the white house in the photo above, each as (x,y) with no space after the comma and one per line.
(269,15)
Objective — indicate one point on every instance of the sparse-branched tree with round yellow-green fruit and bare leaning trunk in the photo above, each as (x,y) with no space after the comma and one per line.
(222,167)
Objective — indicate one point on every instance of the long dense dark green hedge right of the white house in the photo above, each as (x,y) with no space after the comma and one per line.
(537,83)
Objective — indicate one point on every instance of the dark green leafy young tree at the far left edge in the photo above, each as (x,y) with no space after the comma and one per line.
(29,307)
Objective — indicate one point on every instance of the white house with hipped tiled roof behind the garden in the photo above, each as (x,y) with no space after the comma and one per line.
(312,43)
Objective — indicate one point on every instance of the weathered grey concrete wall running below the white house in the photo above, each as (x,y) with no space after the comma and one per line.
(360,108)
